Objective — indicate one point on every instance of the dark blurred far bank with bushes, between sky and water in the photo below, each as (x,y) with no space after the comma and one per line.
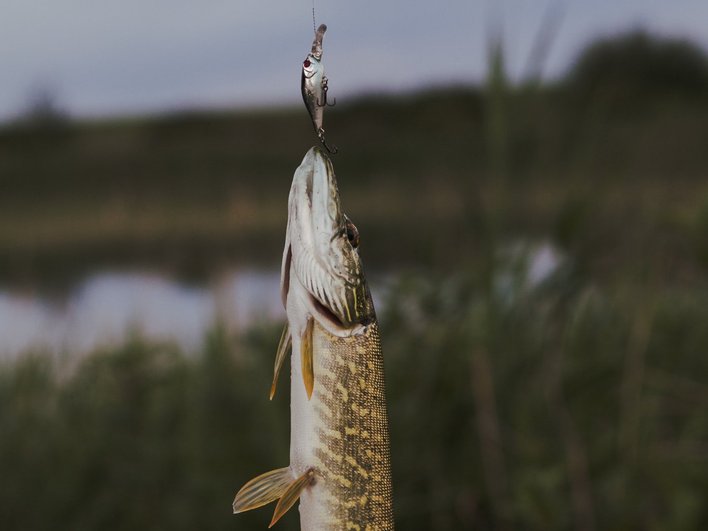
(605,148)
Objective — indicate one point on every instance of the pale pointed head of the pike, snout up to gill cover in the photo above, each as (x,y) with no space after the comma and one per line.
(321,264)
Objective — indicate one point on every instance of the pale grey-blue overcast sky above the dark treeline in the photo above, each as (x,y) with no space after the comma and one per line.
(103,58)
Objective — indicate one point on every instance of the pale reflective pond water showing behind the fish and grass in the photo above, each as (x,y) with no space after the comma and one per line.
(109,307)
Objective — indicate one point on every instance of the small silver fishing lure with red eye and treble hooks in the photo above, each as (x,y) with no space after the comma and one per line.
(314,86)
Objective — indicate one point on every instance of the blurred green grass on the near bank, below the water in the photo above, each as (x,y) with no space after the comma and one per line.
(587,410)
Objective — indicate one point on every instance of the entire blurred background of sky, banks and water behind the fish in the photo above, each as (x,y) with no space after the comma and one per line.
(530,183)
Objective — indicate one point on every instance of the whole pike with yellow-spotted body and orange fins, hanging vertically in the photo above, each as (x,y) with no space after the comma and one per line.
(340,465)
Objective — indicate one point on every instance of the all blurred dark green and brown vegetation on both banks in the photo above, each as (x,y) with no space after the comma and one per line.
(578,402)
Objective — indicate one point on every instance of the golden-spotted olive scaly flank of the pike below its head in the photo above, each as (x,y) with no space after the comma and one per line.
(352,431)
